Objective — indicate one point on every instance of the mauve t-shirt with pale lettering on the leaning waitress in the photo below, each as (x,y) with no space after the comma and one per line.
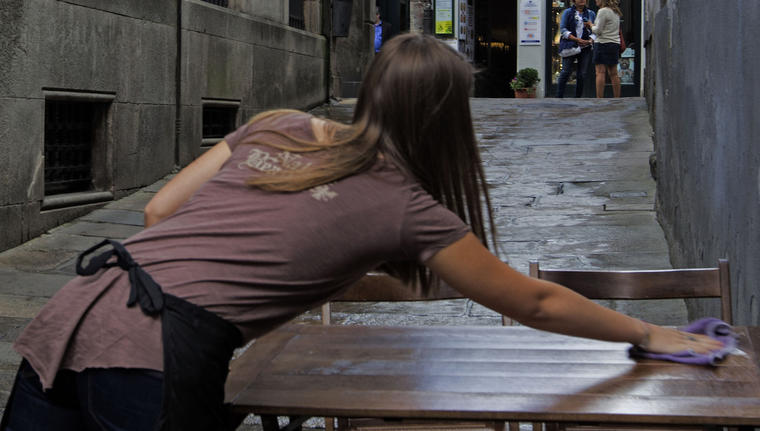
(253,257)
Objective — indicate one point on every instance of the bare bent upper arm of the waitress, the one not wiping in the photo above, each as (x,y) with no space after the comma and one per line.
(179,189)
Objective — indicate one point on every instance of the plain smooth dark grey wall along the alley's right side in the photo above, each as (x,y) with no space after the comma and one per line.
(703,96)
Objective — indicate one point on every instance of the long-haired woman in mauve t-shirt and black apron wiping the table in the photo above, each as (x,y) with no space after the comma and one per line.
(285,213)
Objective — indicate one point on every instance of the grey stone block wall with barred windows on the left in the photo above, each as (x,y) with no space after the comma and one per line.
(122,56)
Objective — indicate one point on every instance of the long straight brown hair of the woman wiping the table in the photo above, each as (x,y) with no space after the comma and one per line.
(413,108)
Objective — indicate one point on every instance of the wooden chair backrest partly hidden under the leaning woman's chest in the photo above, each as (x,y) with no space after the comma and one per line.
(375,287)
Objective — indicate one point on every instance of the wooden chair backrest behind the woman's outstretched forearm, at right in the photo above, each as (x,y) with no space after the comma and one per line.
(646,284)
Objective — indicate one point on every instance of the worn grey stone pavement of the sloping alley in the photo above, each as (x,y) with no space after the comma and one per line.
(570,186)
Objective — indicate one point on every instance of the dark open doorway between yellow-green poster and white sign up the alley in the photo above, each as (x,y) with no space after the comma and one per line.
(495,47)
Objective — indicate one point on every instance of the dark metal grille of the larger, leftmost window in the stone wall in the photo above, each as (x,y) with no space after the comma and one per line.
(69,135)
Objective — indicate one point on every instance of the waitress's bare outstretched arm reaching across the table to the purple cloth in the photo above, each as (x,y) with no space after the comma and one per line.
(470,268)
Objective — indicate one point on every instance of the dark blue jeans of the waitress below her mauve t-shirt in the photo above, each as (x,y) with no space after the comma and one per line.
(94,399)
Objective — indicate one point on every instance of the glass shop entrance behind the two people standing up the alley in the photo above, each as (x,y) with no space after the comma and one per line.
(629,68)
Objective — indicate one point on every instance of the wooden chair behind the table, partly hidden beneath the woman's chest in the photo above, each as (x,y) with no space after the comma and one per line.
(383,288)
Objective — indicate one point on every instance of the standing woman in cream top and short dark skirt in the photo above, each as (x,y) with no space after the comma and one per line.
(607,46)
